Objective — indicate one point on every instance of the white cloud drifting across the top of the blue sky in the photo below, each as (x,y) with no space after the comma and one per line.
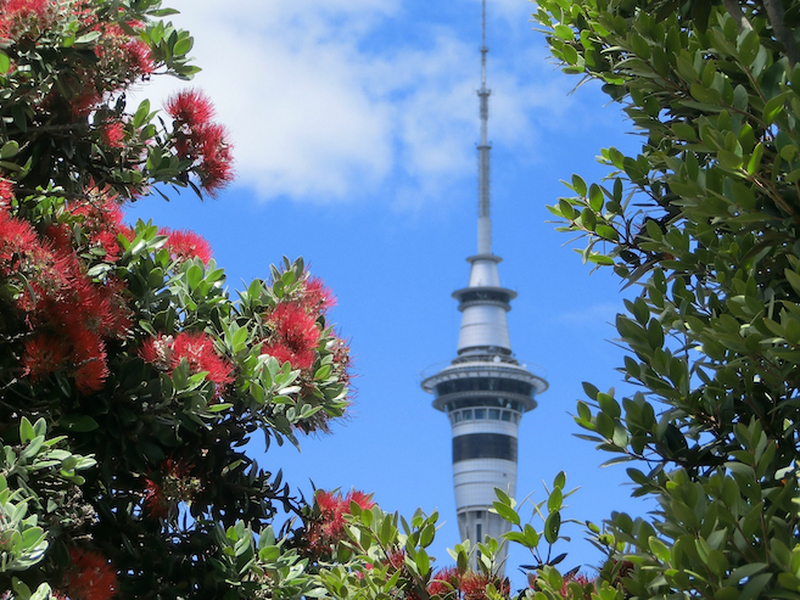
(318,111)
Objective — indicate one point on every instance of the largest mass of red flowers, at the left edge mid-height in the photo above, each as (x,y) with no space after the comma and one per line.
(69,315)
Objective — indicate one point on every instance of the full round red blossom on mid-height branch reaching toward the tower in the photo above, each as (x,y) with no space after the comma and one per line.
(295,335)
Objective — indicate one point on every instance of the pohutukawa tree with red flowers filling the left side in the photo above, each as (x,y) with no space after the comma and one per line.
(130,381)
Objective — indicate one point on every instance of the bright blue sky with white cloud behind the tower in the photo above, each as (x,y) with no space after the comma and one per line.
(355,124)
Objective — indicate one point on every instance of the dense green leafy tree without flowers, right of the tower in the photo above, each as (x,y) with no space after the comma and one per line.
(703,223)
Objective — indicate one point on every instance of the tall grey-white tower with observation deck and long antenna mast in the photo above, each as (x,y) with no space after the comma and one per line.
(484,391)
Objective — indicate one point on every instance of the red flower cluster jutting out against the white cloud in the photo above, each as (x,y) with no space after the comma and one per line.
(199,140)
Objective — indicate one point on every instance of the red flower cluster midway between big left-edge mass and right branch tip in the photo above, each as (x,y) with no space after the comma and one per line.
(195,347)
